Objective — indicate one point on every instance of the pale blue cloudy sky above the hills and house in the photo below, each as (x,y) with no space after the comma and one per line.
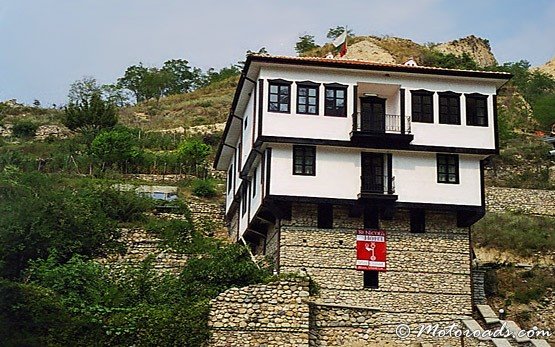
(45,45)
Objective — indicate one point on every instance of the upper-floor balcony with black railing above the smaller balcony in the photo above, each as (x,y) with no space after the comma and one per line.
(379,129)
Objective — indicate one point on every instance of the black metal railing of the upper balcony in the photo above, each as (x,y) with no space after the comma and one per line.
(380,124)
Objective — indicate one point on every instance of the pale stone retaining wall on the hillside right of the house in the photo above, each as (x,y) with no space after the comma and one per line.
(528,201)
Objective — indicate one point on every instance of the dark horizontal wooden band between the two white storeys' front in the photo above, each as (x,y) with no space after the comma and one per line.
(382,145)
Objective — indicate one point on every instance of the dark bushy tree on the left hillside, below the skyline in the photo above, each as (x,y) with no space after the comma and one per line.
(90,113)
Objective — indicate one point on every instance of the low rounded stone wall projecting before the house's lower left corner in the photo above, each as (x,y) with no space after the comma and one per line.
(274,314)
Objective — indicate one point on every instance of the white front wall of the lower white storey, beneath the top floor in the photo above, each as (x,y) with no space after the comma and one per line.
(338,173)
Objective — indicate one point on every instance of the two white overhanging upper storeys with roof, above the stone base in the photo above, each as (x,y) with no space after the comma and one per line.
(356,132)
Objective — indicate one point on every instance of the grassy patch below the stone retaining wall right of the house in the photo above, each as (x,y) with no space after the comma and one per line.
(519,234)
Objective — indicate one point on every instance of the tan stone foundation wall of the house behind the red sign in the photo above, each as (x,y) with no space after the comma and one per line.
(428,278)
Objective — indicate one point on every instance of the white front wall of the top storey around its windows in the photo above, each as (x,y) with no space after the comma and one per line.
(335,128)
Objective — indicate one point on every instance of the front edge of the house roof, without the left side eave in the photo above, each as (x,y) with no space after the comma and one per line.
(373,66)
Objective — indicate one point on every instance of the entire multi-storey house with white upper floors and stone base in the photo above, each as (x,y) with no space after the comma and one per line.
(366,177)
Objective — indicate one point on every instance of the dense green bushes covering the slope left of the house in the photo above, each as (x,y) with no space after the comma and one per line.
(53,293)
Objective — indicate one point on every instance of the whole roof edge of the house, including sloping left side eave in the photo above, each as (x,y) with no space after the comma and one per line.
(347,64)
